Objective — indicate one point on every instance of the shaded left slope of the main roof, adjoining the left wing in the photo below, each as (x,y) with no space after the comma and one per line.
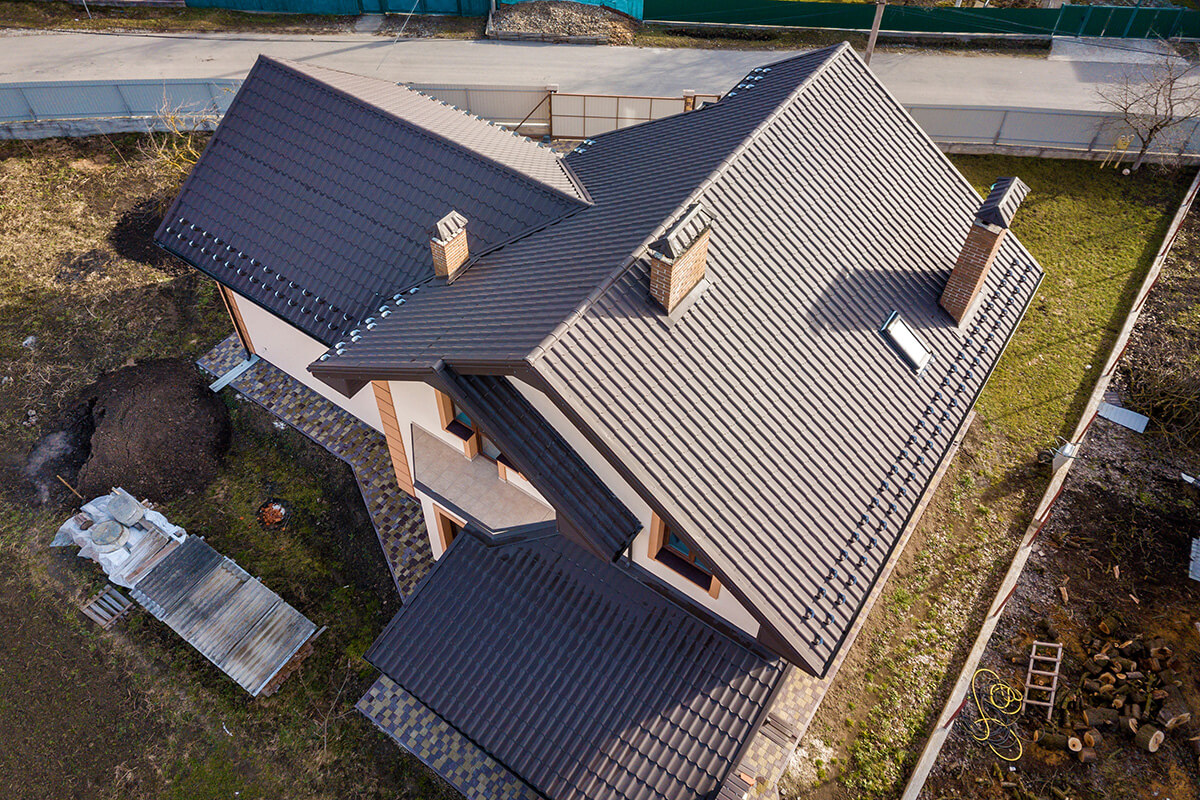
(519,294)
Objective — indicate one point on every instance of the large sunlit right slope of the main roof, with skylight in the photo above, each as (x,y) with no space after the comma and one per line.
(811,442)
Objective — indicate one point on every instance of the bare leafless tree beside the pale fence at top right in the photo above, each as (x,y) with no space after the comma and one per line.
(1155,99)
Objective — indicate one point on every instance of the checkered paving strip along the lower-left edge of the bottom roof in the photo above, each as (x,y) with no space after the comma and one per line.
(446,751)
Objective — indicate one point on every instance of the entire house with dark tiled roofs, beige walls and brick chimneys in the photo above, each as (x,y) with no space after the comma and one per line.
(669,402)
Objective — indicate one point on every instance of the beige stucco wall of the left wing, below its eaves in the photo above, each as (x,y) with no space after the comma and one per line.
(292,351)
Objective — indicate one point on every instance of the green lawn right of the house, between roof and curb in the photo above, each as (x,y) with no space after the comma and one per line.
(1095,232)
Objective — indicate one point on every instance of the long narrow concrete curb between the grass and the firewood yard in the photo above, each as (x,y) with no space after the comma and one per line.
(1009,586)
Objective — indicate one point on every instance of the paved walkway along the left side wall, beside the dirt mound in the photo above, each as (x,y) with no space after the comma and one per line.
(397,516)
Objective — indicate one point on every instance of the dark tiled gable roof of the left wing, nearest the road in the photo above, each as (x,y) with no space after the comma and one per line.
(317,195)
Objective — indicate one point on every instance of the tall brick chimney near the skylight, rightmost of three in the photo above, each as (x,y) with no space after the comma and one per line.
(983,243)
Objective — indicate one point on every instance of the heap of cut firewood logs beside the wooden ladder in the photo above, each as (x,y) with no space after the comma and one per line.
(1131,691)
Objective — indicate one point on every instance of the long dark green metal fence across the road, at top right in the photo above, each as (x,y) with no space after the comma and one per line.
(1120,22)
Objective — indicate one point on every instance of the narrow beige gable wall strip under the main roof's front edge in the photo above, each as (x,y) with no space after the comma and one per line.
(725,605)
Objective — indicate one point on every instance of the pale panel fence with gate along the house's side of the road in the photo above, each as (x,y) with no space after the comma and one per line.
(77,109)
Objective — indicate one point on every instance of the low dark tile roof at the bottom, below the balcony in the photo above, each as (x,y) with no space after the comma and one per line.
(574,676)
